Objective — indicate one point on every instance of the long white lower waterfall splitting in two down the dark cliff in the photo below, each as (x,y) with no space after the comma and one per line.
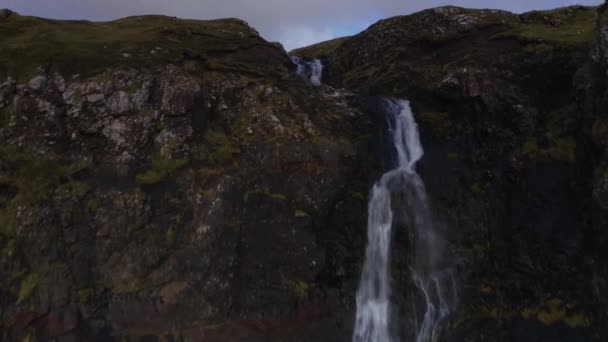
(430,276)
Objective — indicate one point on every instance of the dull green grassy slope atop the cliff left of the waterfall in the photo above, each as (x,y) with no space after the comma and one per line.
(74,47)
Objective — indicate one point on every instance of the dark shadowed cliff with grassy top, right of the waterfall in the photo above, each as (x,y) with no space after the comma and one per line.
(511,110)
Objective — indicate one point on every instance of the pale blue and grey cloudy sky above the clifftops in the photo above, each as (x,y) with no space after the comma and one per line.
(292,23)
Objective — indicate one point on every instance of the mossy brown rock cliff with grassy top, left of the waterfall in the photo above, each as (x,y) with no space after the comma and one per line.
(206,194)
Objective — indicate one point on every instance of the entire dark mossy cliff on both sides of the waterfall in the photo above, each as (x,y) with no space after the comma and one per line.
(172,179)
